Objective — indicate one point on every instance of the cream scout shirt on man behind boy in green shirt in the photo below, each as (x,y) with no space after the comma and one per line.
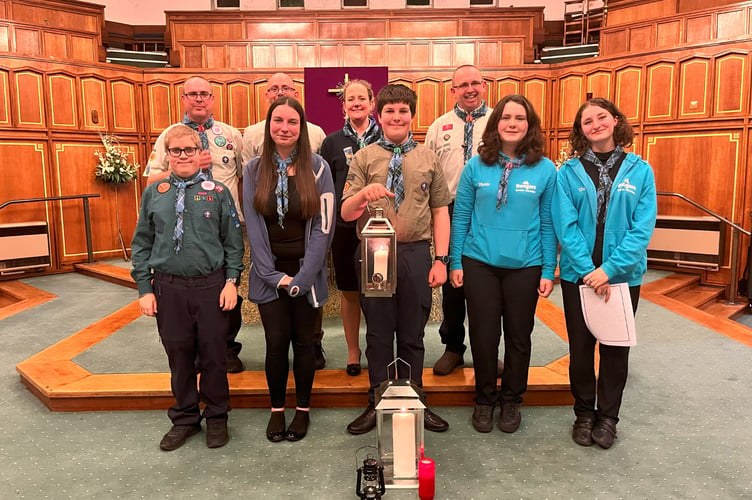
(225,146)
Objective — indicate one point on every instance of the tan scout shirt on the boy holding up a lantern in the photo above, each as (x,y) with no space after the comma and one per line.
(425,188)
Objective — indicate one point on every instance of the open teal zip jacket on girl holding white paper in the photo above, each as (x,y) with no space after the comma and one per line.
(630,220)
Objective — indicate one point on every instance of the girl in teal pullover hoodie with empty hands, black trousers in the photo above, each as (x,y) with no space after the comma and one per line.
(503,249)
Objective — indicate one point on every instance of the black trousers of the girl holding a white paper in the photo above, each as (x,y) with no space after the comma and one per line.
(612,369)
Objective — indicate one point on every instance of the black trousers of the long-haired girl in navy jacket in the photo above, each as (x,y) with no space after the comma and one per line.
(289,320)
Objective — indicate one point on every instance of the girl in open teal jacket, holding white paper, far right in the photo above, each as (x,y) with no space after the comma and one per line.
(604,214)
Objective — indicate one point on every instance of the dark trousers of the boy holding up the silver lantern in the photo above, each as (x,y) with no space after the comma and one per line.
(403,315)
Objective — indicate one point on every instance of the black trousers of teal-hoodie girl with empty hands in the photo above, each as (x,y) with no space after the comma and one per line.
(497,296)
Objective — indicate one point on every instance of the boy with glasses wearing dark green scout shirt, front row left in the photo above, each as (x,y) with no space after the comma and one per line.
(187,257)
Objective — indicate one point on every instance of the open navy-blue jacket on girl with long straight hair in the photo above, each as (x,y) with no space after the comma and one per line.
(311,279)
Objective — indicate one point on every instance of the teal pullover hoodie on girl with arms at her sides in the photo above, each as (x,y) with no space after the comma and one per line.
(517,235)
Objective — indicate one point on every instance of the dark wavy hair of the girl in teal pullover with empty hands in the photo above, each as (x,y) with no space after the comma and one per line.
(531,145)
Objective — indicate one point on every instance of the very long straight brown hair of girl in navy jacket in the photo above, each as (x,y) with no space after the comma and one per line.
(305,181)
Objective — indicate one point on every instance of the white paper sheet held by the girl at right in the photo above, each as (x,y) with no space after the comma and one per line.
(612,322)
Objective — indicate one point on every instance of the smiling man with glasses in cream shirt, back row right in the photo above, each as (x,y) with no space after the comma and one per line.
(455,137)
